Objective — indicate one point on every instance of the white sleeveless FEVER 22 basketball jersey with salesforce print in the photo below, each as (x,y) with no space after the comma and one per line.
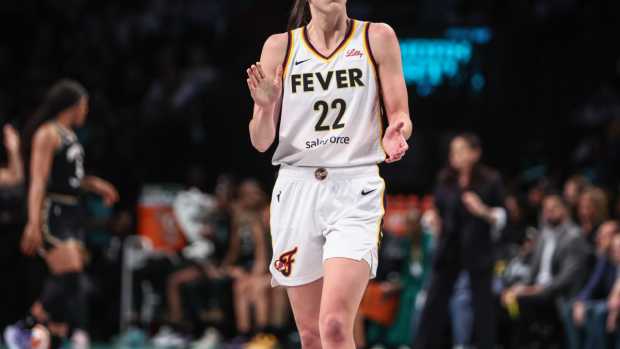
(331,114)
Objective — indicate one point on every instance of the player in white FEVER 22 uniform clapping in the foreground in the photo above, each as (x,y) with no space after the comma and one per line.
(326,83)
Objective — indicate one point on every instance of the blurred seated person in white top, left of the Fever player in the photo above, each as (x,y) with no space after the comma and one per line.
(203,220)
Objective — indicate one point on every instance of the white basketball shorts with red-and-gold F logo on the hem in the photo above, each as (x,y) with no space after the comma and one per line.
(319,213)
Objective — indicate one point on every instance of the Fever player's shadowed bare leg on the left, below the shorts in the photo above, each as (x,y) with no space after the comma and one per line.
(306,301)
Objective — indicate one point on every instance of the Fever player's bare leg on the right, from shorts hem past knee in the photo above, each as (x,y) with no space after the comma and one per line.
(345,281)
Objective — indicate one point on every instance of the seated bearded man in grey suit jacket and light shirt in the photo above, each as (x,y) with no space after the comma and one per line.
(557,273)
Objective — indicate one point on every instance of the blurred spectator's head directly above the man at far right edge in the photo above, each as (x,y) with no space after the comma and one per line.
(592,210)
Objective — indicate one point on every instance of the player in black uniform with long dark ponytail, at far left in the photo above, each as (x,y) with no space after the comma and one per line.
(54,228)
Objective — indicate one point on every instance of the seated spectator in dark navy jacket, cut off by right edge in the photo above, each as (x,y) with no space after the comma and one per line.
(585,319)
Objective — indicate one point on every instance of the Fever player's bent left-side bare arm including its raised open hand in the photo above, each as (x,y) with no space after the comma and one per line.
(265,85)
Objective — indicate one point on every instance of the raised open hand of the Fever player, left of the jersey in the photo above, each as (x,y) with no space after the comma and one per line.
(265,90)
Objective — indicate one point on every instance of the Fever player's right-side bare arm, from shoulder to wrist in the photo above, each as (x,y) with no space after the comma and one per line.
(386,51)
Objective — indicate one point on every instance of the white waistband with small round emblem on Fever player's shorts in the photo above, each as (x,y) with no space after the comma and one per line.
(333,173)
